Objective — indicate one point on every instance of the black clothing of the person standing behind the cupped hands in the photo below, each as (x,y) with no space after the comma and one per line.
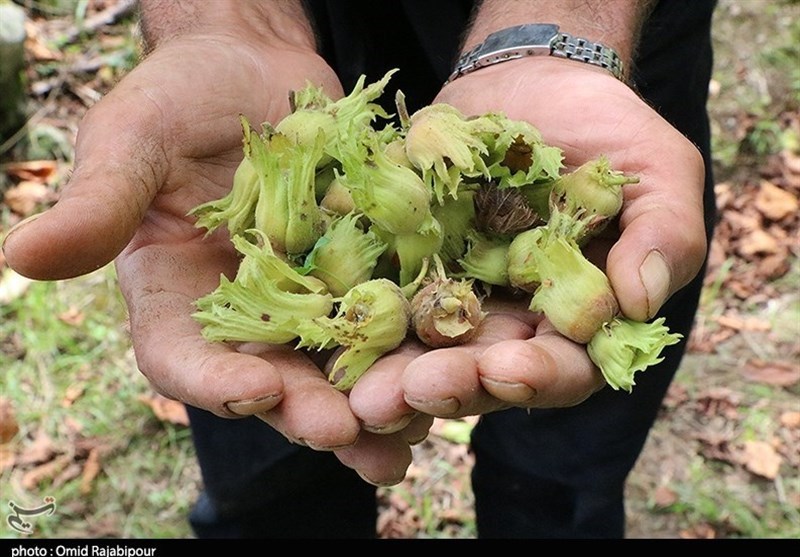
(540,473)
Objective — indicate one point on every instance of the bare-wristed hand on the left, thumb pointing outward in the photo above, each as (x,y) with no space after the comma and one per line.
(164,140)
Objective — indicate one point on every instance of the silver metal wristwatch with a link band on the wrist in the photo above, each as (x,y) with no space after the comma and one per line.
(536,39)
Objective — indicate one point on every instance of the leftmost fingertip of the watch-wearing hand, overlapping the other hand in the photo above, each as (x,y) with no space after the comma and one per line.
(377,399)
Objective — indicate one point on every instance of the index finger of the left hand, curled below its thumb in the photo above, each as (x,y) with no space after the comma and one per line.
(160,285)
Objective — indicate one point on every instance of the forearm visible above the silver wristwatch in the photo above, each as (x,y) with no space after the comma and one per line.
(615,23)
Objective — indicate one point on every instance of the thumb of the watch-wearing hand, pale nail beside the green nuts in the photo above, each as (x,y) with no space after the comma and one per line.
(663,237)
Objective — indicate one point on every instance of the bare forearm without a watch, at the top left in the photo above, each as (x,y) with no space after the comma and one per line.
(281,21)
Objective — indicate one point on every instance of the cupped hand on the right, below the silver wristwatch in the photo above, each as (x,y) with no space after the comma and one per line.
(518,359)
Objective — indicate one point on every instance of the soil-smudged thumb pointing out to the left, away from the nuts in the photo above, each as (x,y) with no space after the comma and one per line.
(119,166)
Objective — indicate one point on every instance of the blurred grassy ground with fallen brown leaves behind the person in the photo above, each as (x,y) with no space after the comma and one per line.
(81,429)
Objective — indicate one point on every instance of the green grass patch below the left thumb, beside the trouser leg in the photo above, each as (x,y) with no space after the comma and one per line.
(148,476)
